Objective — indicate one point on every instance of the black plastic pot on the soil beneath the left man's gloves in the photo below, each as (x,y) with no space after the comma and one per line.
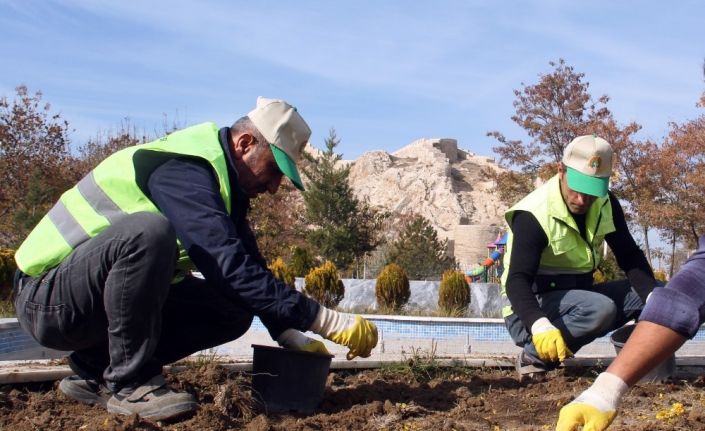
(286,380)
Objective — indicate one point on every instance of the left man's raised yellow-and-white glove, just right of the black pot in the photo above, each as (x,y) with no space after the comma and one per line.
(351,331)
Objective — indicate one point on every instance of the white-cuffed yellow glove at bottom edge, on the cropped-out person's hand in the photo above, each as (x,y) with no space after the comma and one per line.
(596,407)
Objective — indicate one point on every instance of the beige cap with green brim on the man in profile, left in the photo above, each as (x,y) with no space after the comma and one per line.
(286,132)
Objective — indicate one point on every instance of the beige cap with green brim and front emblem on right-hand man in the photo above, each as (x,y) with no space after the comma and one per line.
(588,160)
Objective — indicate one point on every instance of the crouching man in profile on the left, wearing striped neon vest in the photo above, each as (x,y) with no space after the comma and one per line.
(107,275)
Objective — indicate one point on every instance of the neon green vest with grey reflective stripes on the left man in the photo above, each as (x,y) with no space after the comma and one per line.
(114,189)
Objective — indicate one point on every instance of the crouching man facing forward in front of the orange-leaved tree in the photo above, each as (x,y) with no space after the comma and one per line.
(556,241)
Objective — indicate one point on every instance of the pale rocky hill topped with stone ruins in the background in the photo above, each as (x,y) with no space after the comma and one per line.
(436,179)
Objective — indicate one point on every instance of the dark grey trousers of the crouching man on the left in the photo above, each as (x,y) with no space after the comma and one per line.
(111,303)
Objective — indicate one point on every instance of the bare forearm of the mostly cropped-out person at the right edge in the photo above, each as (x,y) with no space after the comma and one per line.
(649,345)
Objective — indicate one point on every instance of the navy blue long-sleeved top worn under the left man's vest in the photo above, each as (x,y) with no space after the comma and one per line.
(223,247)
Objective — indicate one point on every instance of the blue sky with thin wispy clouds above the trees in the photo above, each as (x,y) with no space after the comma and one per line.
(382,73)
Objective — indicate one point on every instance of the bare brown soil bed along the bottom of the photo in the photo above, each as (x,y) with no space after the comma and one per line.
(405,397)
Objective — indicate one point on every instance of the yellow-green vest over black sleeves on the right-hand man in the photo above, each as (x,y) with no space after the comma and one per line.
(567,251)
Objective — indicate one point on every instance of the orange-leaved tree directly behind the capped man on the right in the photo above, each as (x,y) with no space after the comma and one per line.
(554,111)
